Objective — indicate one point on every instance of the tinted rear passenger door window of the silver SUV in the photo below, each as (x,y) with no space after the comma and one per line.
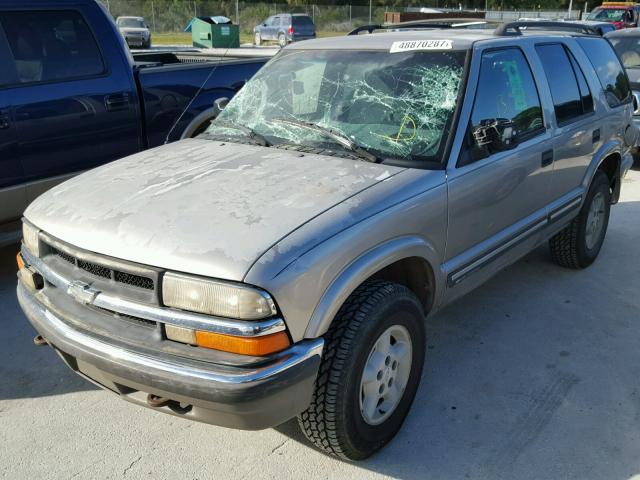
(569,90)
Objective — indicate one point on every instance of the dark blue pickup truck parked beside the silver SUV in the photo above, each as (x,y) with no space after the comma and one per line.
(72,96)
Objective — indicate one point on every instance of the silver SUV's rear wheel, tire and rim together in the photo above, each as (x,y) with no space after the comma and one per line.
(578,244)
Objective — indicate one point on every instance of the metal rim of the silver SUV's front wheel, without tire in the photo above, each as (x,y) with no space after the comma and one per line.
(385,375)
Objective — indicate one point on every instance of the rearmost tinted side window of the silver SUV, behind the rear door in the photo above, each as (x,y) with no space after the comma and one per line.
(612,76)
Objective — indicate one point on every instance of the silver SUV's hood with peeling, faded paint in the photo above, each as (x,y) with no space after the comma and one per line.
(199,206)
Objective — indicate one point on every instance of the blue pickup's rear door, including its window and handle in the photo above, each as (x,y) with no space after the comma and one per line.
(72,110)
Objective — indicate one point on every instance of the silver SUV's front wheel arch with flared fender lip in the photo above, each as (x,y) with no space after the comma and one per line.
(406,260)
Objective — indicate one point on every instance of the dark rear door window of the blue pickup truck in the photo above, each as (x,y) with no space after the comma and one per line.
(51,45)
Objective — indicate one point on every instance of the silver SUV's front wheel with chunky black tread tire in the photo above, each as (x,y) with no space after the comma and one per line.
(370,371)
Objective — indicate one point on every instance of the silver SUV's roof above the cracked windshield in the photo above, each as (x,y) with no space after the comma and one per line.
(460,39)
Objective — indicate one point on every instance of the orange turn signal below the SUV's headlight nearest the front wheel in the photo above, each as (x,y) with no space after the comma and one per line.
(256,346)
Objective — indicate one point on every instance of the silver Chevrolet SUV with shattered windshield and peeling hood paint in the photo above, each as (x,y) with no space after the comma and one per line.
(282,263)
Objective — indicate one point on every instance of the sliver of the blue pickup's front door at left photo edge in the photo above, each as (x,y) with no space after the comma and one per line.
(12,190)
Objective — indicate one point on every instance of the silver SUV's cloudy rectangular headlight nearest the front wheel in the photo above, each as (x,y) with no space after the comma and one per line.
(216,298)
